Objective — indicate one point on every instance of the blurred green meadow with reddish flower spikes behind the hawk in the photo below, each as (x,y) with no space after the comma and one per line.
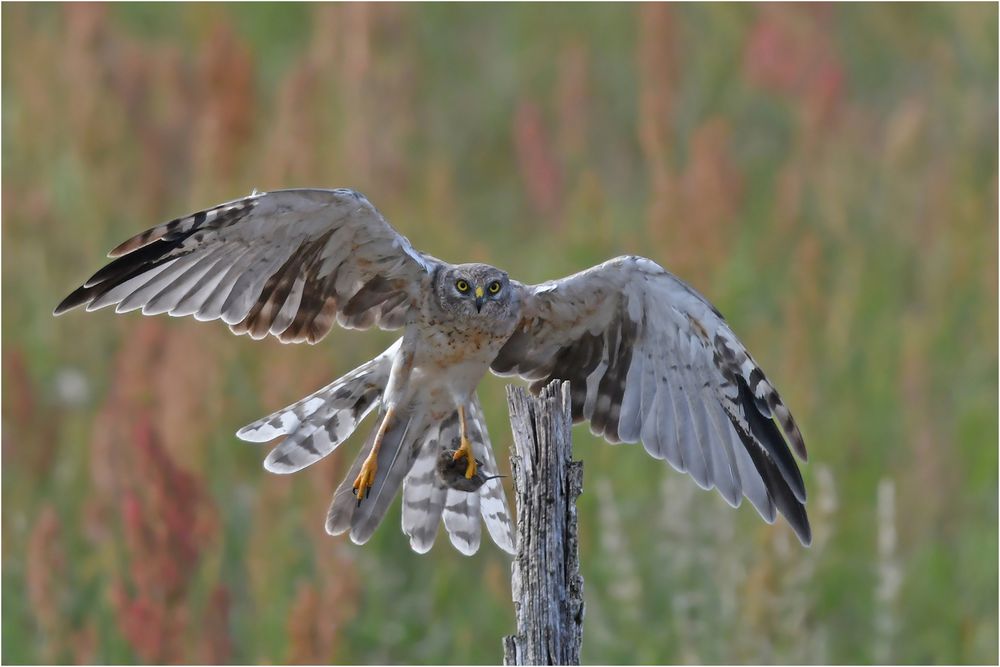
(826,175)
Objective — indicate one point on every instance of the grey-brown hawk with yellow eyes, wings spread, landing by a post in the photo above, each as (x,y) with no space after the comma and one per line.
(647,357)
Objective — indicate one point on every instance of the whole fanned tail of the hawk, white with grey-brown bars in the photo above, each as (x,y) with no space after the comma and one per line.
(320,422)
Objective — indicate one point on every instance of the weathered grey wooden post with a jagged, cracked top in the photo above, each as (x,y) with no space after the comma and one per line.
(546,582)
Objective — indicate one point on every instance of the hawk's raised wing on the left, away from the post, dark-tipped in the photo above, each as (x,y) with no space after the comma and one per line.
(287,263)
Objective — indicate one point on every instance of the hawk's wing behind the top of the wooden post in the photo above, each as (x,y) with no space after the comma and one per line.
(648,358)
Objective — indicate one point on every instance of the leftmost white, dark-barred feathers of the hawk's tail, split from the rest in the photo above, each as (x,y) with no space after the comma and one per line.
(317,424)
